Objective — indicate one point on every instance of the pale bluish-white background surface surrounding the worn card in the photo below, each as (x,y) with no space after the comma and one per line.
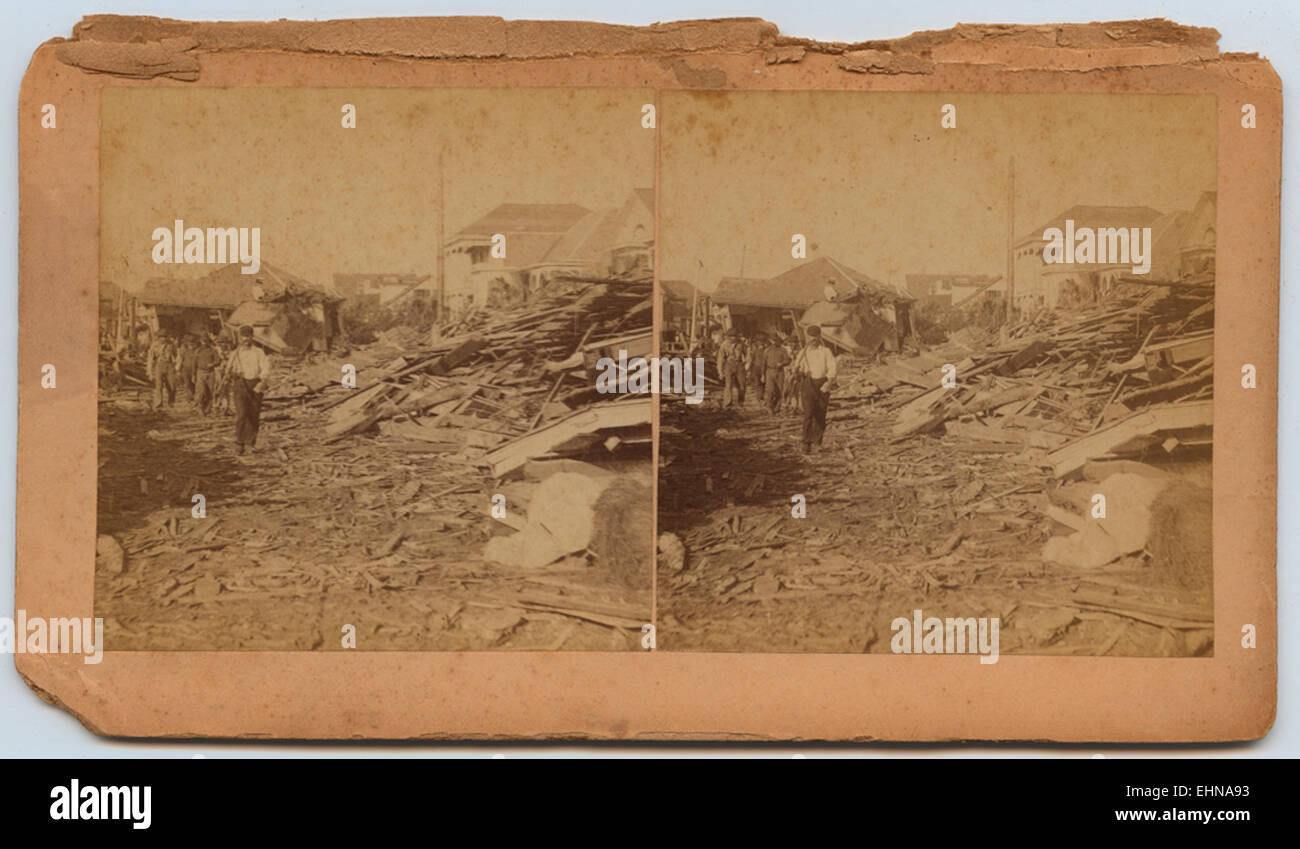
(29,727)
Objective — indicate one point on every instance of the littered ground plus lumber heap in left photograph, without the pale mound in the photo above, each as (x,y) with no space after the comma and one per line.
(372,506)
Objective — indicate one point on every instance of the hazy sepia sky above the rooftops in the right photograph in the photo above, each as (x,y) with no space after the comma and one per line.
(873,181)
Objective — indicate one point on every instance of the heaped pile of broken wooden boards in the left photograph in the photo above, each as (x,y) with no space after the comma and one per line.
(497,388)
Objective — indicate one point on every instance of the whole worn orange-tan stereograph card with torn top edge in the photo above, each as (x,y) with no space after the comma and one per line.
(478,379)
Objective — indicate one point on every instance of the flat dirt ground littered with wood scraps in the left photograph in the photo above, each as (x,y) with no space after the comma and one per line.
(304,538)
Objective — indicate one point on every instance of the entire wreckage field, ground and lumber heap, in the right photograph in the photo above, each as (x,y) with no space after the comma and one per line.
(972,501)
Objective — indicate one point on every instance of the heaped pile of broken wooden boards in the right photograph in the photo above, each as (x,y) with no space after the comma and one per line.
(1110,382)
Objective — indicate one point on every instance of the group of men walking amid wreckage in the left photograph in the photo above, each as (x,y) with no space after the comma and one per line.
(213,378)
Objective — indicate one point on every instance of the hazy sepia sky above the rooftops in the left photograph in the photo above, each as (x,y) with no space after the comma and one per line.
(331,200)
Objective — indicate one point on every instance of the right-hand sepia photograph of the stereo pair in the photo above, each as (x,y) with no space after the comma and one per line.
(960,357)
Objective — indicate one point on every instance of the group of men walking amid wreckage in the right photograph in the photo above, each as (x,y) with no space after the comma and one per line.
(770,366)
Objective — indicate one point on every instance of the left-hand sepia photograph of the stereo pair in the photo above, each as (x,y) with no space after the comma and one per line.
(349,345)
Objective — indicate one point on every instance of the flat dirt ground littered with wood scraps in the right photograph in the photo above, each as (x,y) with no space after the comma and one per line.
(931,523)
